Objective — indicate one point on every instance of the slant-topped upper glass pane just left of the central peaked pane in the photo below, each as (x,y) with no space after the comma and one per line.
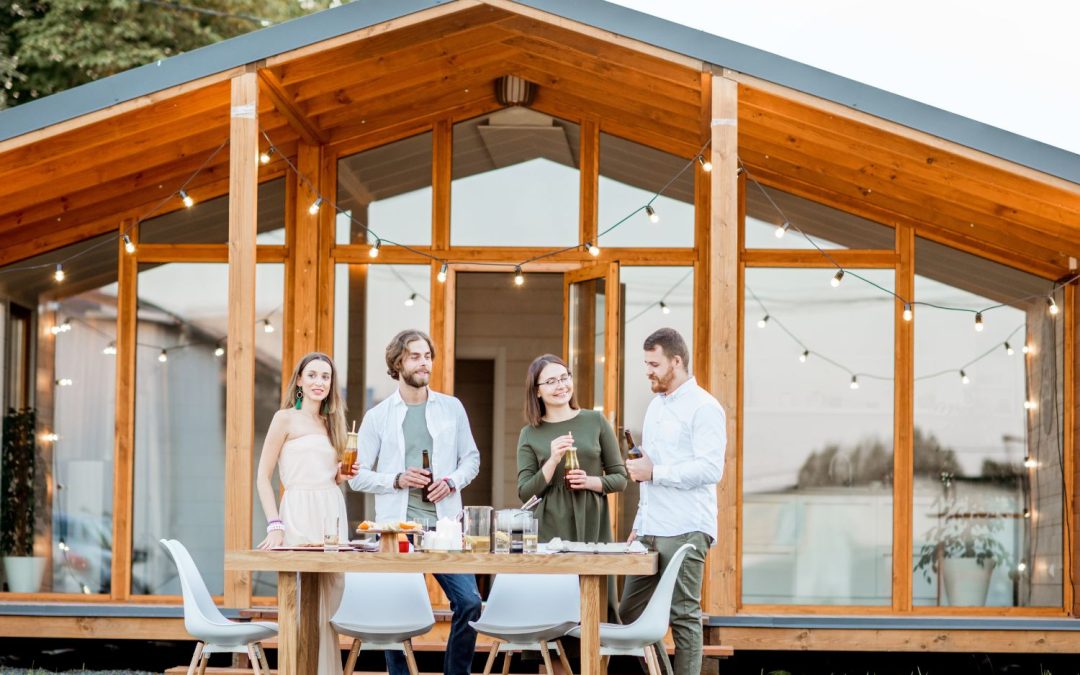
(389,191)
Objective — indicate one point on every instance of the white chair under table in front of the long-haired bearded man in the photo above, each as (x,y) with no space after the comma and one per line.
(384,612)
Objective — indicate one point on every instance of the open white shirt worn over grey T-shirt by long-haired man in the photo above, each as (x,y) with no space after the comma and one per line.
(382,454)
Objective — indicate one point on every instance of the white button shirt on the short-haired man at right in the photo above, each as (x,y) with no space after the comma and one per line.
(685,436)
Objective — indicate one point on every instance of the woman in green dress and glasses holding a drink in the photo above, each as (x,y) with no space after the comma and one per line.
(578,511)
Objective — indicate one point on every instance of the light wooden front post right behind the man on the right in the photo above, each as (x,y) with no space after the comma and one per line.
(724,331)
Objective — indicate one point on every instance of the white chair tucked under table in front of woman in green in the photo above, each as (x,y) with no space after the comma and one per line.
(526,612)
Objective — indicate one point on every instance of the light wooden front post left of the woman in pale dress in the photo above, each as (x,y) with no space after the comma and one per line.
(240,379)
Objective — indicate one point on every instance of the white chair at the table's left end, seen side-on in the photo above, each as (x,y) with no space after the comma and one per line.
(207,624)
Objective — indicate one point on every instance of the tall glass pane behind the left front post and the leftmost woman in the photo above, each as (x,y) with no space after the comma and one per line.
(180,413)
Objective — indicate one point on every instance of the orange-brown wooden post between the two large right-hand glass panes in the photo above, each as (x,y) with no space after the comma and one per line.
(903,426)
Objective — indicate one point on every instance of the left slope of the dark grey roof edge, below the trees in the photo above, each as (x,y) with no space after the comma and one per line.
(204,62)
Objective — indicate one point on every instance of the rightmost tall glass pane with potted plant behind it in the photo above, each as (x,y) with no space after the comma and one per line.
(989,484)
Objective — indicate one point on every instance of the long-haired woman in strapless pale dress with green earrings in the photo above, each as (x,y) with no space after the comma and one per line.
(305,441)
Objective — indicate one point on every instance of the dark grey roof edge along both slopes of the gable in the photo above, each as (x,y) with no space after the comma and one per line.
(677,38)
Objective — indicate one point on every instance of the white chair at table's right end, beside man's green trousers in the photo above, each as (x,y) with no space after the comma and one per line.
(638,639)
